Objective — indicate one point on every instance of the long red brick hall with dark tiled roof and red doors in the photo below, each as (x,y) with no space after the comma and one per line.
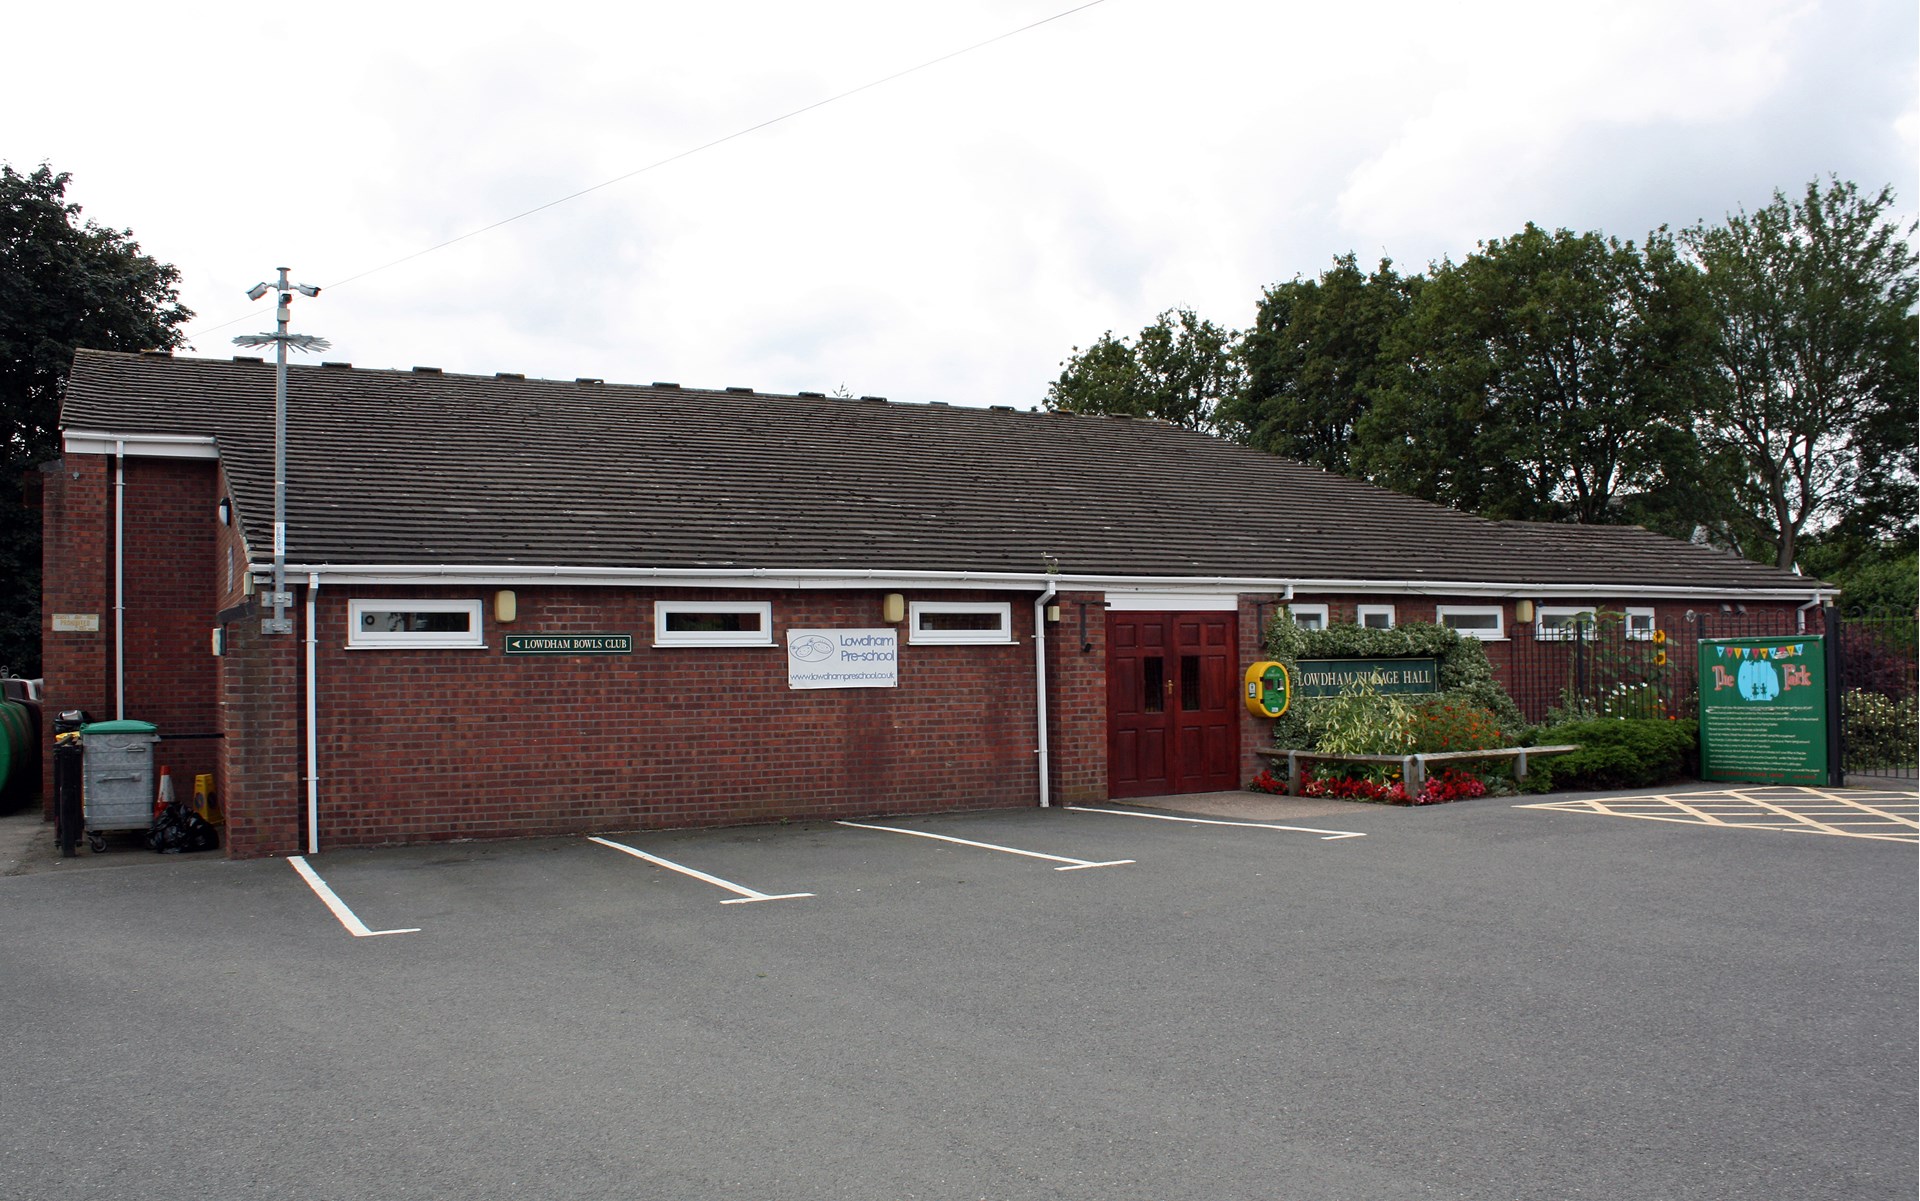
(537,607)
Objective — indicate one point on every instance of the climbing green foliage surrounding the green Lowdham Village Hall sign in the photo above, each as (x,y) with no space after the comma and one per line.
(1466,678)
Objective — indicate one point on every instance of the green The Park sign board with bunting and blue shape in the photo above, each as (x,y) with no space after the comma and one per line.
(1764,711)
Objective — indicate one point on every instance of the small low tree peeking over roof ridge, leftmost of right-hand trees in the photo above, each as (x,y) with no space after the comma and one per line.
(1182,369)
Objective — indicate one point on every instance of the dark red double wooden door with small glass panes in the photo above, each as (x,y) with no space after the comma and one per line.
(1170,703)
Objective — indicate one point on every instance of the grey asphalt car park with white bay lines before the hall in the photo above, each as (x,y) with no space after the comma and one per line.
(1476,1001)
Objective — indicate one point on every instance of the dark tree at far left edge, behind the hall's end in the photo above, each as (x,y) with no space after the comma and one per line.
(64,285)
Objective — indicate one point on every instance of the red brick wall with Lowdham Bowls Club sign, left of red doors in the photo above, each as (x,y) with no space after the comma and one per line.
(421,745)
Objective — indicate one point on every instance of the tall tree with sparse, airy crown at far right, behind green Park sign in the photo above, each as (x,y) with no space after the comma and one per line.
(1812,396)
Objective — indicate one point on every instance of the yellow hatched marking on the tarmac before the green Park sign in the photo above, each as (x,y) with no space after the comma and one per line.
(1802,809)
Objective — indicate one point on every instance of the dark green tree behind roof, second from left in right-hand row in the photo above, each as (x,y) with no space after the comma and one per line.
(1314,362)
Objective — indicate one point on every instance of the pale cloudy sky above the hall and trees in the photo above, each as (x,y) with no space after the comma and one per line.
(948,235)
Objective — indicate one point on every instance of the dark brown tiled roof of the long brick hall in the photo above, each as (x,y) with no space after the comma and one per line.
(395,467)
